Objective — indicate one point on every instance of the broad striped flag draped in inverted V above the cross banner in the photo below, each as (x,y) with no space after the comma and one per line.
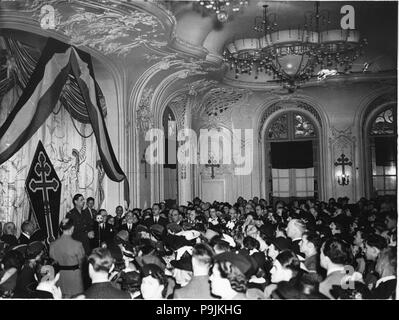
(39,98)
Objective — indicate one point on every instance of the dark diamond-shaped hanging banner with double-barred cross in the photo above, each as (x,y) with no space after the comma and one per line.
(44,191)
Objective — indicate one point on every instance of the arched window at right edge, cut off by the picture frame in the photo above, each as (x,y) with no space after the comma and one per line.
(382,135)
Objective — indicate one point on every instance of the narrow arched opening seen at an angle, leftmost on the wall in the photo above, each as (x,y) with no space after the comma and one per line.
(170,176)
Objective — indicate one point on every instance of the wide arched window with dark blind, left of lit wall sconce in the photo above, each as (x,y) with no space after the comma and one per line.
(292,157)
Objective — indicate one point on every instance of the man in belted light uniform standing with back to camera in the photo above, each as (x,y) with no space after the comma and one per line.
(70,255)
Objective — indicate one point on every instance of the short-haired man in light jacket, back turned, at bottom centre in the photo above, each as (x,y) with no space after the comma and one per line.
(198,287)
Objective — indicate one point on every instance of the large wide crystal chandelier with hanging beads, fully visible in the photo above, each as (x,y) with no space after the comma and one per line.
(293,56)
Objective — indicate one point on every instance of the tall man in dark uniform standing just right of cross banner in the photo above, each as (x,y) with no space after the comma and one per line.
(83,224)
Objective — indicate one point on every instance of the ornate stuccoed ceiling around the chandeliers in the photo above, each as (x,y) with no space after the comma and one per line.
(139,34)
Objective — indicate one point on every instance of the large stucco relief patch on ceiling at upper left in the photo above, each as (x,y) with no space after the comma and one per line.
(106,26)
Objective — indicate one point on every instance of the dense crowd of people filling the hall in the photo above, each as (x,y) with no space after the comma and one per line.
(249,250)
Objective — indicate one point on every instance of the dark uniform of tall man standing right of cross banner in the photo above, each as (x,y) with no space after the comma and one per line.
(83,224)
